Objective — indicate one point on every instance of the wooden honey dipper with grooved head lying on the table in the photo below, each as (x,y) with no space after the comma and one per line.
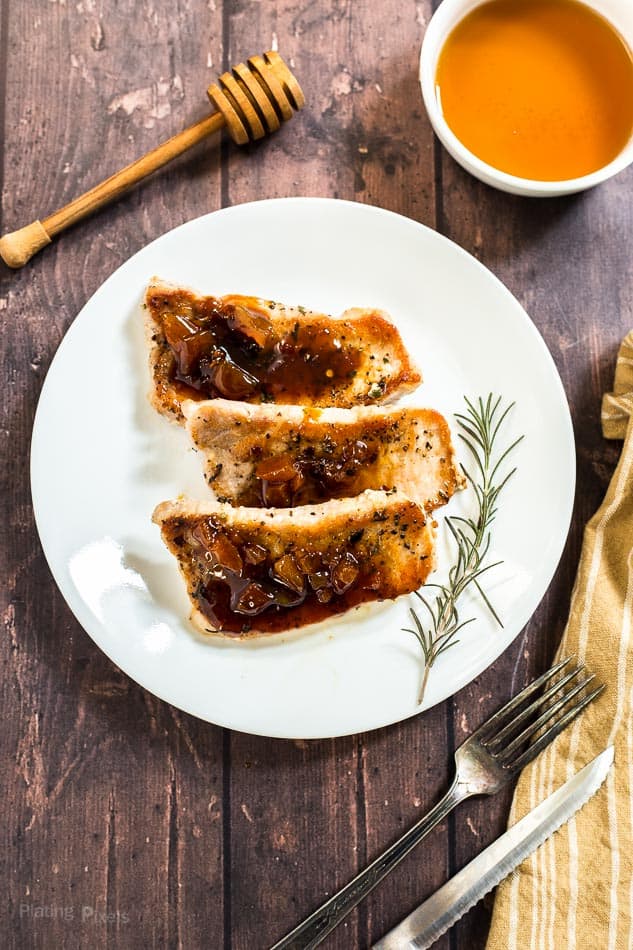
(252,101)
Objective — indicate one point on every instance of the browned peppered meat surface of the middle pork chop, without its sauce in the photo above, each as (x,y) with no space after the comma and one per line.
(411,448)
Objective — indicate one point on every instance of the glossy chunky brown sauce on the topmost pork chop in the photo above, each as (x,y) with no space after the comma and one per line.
(234,351)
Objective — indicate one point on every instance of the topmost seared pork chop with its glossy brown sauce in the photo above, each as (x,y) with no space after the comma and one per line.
(254,350)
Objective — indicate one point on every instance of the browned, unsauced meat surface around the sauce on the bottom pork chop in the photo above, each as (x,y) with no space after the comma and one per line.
(389,534)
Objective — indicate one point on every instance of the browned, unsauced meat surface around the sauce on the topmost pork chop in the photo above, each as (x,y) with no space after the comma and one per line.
(386,370)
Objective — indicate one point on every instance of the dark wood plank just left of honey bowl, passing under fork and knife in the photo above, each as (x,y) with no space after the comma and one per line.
(406,768)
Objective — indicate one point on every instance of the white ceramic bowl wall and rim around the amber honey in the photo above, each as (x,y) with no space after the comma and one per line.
(618,12)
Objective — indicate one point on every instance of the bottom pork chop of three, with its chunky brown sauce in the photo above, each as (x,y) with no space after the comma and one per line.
(255,571)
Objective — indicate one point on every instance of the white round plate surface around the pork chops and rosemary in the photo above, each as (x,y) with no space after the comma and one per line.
(102,459)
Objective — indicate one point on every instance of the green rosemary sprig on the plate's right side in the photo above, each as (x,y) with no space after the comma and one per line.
(479,425)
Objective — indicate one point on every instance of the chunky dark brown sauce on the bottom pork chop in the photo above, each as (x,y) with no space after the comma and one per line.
(239,580)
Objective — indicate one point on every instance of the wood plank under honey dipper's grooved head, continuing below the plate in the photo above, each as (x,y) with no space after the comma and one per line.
(296,832)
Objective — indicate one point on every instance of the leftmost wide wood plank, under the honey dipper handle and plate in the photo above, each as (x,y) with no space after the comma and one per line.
(115,800)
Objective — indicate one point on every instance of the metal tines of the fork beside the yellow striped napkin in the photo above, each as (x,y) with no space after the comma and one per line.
(507,735)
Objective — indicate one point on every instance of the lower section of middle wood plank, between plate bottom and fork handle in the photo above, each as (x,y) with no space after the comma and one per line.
(296,834)
